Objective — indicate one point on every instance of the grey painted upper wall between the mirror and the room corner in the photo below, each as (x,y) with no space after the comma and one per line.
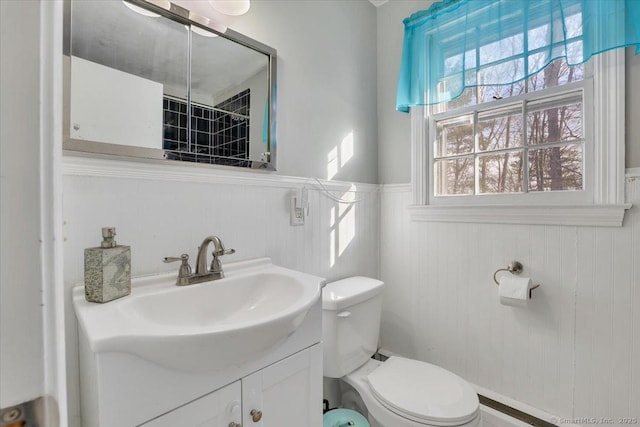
(326,81)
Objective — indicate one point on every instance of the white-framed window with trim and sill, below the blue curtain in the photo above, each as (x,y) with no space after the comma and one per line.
(553,155)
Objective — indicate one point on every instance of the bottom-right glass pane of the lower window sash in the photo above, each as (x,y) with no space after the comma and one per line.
(556,168)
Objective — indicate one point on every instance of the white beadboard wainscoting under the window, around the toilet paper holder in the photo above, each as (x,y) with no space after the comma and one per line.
(573,353)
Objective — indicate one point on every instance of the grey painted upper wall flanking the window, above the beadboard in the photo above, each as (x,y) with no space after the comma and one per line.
(394,149)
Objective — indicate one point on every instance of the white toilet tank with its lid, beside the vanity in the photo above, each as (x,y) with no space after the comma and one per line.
(351,311)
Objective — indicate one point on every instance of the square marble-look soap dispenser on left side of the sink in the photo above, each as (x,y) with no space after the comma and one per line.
(107,269)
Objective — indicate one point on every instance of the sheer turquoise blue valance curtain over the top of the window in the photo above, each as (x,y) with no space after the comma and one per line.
(457,44)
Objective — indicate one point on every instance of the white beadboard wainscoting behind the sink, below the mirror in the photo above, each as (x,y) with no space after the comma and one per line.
(168,211)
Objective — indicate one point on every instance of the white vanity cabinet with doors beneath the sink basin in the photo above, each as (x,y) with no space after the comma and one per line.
(284,383)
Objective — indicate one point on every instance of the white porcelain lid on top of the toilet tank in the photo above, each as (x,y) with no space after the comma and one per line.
(349,291)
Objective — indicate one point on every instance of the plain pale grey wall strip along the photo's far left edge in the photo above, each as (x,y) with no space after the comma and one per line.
(21,330)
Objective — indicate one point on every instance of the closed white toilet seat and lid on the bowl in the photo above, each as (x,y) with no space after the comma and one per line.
(423,392)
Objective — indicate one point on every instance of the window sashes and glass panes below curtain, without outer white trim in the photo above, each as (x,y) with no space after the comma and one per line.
(524,137)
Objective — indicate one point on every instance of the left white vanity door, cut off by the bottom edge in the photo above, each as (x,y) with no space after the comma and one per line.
(218,409)
